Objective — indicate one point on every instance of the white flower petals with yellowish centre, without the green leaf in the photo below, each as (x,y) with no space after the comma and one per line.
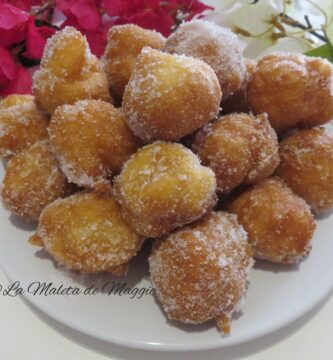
(260,28)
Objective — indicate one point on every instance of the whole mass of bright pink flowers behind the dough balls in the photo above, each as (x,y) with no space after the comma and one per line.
(25,25)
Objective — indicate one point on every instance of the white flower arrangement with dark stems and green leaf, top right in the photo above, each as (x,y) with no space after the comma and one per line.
(304,26)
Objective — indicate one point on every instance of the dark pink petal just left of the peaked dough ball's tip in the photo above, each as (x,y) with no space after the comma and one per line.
(36,39)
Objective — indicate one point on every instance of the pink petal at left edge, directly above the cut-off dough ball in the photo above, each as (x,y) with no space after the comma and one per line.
(14,79)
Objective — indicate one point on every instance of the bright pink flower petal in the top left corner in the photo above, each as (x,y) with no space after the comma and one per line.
(13,23)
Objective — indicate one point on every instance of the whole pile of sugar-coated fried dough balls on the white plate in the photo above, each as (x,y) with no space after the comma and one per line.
(218,158)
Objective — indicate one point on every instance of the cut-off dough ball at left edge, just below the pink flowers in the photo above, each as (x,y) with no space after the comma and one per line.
(21,124)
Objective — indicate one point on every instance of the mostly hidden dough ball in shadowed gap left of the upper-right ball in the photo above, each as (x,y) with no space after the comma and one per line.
(237,102)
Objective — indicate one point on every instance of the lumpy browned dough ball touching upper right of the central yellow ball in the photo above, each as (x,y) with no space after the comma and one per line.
(239,148)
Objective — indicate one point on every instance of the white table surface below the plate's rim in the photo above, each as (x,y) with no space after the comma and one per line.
(26,333)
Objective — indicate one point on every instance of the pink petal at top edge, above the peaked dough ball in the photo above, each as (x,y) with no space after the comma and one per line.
(82,14)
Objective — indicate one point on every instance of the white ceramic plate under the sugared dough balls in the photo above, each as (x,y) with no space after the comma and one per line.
(277,295)
